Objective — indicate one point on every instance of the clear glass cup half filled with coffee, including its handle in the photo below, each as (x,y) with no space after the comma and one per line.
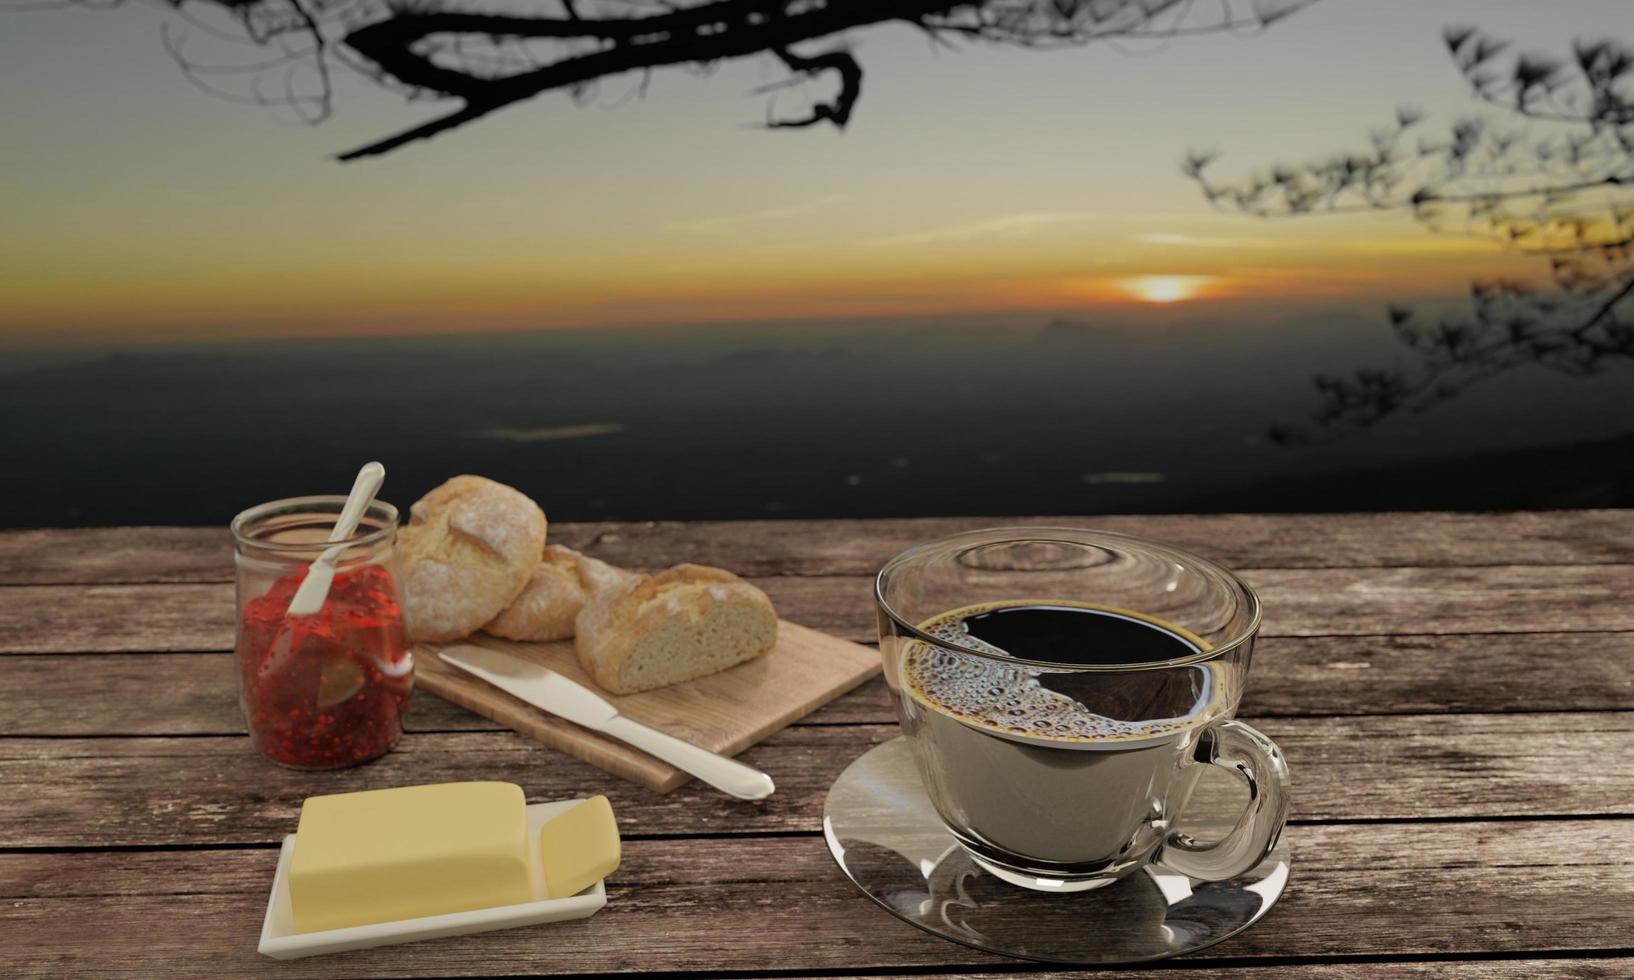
(1063,690)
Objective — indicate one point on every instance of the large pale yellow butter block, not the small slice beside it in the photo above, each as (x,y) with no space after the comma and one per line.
(390,855)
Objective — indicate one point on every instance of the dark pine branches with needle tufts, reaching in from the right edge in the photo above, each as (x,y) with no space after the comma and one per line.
(1553,177)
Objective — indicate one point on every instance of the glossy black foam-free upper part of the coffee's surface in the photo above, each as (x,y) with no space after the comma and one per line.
(1076,636)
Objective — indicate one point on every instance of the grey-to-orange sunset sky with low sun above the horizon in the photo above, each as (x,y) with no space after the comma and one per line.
(141,210)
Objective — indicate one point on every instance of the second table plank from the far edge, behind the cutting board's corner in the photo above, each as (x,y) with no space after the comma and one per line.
(1316,602)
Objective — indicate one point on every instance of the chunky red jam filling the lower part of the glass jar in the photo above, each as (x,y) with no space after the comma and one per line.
(328,690)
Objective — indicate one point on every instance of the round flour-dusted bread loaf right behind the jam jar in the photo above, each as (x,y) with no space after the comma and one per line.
(467,553)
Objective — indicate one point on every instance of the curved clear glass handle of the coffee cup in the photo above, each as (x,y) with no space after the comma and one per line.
(1254,757)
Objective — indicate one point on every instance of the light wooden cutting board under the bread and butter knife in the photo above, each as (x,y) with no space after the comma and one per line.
(725,713)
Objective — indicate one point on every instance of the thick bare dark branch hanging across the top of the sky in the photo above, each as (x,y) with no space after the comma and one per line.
(516,50)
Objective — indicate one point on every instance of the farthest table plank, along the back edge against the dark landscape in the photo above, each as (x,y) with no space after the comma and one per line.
(859,548)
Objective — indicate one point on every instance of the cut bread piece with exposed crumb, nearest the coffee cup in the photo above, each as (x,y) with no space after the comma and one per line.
(676,626)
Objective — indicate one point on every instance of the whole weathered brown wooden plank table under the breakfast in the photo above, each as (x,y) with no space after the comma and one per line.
(1455,695)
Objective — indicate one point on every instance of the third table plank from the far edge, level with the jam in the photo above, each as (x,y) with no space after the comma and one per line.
(194,693)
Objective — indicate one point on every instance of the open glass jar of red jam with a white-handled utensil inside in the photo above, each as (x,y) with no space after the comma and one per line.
(328,690)
